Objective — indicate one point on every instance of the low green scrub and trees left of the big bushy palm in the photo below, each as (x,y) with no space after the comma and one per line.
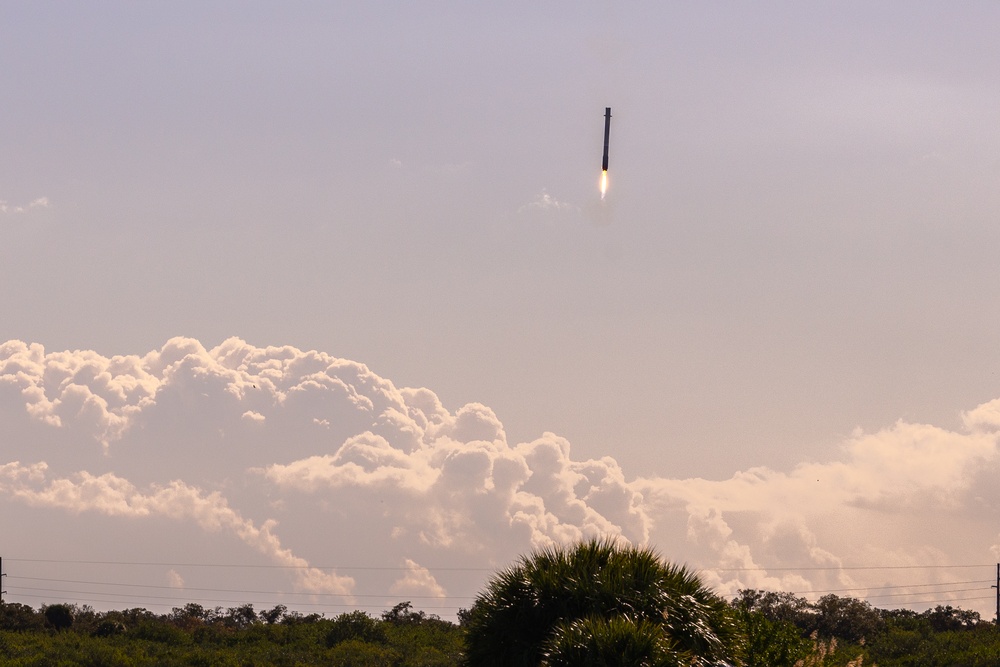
(193,635)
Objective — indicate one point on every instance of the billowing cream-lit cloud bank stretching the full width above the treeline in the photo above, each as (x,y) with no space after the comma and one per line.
(307,461)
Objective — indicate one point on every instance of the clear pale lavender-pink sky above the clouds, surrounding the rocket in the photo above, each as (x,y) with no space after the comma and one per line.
(799,238)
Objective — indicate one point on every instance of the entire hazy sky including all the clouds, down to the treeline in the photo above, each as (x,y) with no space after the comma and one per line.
(319,304)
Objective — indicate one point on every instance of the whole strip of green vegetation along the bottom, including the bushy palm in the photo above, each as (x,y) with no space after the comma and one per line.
(595,604)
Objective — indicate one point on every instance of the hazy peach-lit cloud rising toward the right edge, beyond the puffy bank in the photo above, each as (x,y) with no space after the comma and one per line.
(887,501)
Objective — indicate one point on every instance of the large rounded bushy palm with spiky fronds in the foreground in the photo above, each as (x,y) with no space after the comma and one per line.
(597,598)
